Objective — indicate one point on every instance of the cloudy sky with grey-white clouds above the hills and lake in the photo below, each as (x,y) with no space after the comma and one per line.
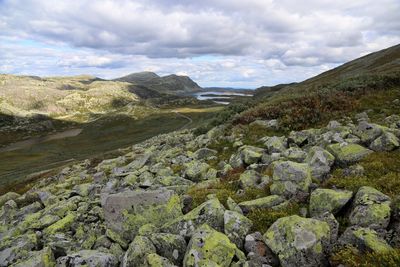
(216,42)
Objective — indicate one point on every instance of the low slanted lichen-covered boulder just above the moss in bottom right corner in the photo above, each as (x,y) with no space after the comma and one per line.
(364,239)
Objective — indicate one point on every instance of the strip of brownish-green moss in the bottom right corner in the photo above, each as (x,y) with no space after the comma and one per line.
(351,257)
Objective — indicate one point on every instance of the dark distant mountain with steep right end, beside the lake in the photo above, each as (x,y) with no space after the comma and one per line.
(170,84)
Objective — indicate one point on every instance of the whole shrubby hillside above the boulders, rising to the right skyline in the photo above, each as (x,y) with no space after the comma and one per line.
(372,81)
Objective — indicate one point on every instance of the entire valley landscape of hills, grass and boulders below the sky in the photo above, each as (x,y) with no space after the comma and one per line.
(302,174)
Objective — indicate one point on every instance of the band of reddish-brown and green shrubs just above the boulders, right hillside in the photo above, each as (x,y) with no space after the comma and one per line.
(313,107)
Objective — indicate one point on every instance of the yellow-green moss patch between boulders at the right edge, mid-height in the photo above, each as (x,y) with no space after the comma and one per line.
(382,171)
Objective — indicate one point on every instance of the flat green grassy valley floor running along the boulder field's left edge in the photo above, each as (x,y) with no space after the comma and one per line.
(97,139)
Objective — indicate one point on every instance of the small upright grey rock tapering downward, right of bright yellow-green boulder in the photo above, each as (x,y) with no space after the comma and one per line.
(236,227)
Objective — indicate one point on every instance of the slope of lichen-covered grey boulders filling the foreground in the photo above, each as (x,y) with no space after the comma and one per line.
(217,200)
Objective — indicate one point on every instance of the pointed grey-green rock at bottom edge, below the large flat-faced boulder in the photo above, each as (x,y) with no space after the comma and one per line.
(136,254)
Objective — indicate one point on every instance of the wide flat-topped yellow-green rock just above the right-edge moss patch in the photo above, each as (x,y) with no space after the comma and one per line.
(347,154)
